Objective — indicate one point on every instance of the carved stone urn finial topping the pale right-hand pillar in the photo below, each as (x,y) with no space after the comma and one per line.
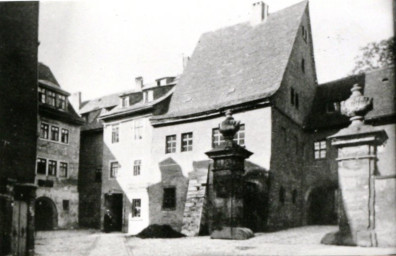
(356,106)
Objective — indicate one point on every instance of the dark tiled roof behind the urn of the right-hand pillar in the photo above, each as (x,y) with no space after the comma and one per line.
(377,84)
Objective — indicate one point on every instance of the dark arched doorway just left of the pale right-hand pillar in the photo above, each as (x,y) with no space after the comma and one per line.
(322,206)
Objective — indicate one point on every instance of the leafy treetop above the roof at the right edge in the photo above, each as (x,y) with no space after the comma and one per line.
(375,55)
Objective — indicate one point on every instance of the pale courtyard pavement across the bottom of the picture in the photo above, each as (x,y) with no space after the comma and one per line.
(296,241)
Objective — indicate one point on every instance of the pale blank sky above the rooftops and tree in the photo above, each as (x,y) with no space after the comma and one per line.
(99,47)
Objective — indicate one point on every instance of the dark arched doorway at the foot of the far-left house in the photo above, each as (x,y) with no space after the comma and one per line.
(46,215)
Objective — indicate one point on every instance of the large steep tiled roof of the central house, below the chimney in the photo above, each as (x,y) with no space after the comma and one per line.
(237,64)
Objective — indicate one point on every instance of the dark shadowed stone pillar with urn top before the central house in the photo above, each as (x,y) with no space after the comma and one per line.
(228,170)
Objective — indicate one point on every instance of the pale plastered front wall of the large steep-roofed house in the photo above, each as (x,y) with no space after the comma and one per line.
(177,165)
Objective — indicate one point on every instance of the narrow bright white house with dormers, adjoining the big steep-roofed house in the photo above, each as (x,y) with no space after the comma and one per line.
(127,162)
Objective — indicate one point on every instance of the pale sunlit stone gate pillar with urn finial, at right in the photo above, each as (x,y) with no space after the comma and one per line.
(357,157)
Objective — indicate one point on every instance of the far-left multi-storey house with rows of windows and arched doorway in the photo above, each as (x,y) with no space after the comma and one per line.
(58,148)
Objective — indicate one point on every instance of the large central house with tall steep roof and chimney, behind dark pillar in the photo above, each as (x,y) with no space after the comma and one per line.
(262,70)
